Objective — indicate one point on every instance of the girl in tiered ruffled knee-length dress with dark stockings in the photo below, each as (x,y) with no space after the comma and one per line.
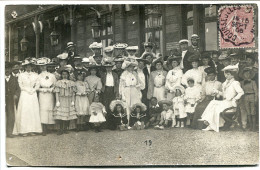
(65,102)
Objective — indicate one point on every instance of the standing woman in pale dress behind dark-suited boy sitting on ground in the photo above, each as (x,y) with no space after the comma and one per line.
(156,87)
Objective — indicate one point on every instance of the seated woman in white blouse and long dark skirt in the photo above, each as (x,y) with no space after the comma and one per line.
(209,89)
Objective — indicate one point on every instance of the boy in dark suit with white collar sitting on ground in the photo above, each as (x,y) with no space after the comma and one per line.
(154,113)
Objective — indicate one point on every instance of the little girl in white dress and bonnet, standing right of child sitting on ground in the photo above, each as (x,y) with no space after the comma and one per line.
(178,106)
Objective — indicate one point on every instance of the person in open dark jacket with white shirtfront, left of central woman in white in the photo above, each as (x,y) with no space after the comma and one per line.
(110,90)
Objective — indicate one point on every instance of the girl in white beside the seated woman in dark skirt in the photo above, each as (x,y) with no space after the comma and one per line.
(193,95)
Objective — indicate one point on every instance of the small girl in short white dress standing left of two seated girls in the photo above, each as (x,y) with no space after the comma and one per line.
(97,112)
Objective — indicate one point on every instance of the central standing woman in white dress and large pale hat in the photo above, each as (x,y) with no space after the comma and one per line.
(129,86)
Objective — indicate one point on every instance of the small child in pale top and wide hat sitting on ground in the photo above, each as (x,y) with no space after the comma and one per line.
(167,115)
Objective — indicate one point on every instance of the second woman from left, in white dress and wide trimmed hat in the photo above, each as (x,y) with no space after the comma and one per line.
(46,96)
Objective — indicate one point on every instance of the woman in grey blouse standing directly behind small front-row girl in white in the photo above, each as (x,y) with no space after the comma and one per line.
(94,82)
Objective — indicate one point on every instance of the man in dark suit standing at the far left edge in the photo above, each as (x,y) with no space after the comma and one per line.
(11,87)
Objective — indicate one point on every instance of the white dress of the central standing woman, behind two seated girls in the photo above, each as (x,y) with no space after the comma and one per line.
(129,89)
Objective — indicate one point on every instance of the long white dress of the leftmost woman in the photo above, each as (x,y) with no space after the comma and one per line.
(28,116)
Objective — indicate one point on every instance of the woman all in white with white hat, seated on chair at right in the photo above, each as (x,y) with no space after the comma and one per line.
(231,92)
